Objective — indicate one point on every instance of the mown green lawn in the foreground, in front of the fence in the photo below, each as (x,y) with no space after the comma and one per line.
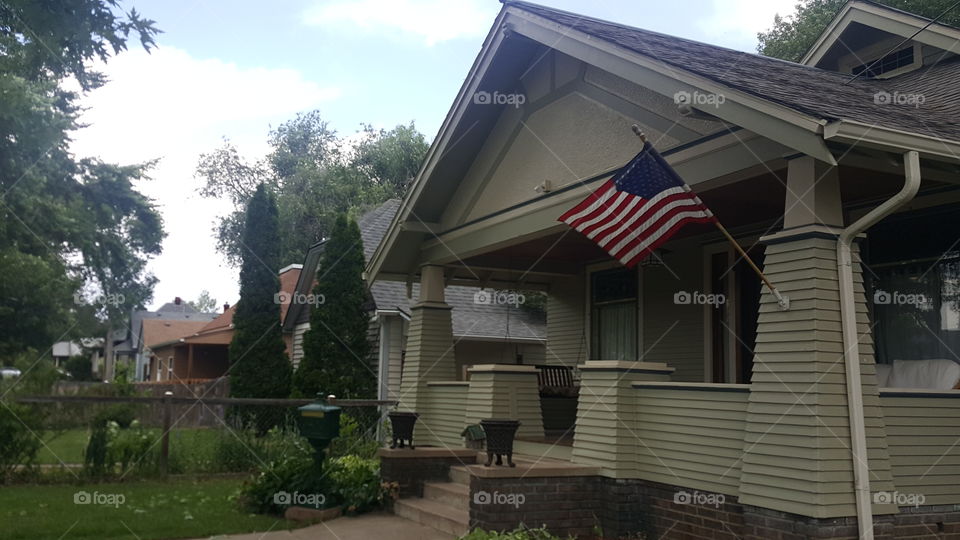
(150,510)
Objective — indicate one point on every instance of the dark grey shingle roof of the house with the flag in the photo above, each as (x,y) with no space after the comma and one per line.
(809,90)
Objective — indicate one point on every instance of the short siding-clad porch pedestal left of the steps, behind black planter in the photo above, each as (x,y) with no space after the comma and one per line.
(506,391)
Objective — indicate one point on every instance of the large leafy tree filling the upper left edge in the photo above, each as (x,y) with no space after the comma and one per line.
(73,231)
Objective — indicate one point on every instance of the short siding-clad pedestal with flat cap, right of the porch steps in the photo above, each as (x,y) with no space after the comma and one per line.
(606,433)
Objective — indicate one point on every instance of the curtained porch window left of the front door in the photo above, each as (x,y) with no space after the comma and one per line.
(613,314)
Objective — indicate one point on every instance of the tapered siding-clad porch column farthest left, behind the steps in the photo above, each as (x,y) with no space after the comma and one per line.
(429,355)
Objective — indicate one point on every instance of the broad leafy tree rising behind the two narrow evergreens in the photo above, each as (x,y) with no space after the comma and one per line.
(315,175)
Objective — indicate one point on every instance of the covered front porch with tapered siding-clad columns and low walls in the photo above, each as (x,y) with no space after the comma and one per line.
(678,393)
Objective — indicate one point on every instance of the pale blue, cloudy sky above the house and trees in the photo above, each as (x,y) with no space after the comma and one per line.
(234,69)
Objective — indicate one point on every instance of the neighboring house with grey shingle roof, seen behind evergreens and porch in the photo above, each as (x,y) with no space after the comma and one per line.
(483,331)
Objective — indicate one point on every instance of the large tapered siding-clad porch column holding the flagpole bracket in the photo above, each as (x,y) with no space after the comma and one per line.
(797,456)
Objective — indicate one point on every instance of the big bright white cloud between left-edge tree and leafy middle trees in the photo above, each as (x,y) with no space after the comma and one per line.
(170,106)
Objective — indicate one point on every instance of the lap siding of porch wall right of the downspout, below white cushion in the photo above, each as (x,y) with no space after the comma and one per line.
(923,438)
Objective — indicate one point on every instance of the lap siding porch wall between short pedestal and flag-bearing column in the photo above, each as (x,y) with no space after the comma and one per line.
(691,438)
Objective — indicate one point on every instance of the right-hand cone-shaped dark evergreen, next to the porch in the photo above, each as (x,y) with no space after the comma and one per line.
(335,349)
